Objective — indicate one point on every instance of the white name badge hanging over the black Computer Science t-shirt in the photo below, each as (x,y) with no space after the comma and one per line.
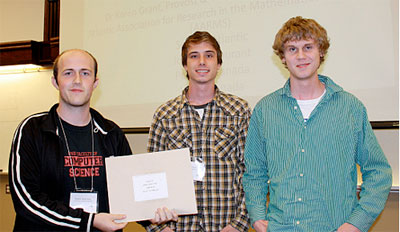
(85,201)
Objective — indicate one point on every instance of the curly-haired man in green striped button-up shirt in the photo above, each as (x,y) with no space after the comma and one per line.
(304,142)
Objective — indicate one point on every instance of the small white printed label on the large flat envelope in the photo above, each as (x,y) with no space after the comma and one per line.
(150,186)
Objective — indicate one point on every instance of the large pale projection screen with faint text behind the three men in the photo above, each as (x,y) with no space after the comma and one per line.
(138,44)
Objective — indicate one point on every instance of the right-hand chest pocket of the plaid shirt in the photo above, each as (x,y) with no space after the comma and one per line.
(225,142)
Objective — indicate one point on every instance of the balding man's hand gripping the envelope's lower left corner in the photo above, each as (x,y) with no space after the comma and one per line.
(105,221)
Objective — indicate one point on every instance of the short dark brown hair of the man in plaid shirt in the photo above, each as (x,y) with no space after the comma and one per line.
(199,37)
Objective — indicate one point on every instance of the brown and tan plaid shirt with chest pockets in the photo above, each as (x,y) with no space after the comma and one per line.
(218,139)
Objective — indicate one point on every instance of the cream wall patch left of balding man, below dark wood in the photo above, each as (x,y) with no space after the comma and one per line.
(20,96)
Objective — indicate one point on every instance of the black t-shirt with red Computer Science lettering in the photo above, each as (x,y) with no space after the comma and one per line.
(83,165)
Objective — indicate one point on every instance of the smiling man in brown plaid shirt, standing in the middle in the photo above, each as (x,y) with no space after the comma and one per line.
(213,125)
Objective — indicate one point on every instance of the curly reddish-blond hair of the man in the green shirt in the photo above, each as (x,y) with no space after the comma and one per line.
(299,28)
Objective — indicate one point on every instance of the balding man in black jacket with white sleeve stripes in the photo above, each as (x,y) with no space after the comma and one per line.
(57,167)
